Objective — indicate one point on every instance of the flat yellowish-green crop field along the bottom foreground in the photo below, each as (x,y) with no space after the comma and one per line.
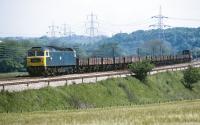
(176,113)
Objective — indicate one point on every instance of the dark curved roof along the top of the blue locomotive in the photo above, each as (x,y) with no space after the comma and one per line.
(53,48)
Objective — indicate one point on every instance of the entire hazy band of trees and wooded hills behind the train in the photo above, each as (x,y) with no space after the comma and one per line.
(142,43)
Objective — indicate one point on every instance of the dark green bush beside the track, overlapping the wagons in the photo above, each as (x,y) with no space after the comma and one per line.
(141,69)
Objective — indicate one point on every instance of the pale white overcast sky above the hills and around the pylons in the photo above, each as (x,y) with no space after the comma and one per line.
(32,17)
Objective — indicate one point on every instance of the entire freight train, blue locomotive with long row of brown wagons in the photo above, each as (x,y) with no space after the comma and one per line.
(51,60)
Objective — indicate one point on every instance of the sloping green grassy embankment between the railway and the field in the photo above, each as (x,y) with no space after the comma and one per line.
(161,87)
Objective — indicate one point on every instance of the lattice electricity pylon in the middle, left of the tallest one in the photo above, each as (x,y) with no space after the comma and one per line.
(92,25)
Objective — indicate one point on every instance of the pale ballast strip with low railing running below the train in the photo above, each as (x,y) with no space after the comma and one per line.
(39,82)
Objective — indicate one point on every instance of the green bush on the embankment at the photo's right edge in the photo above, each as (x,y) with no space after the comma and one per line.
(191,76)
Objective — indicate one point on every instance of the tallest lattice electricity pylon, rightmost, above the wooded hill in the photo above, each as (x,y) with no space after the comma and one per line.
(160,24)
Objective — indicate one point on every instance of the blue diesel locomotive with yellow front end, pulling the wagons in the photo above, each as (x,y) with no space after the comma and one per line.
(50,60)
